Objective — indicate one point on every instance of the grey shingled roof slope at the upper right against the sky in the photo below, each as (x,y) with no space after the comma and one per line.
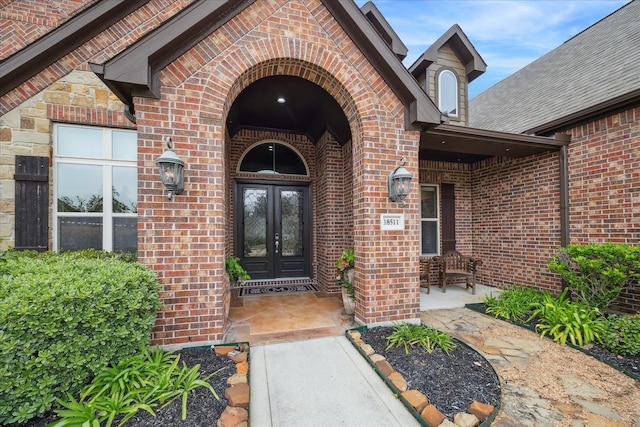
(596,66)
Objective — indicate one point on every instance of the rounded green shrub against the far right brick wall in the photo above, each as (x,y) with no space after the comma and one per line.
(597,273)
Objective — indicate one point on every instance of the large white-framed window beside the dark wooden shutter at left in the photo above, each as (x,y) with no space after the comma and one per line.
(95,188)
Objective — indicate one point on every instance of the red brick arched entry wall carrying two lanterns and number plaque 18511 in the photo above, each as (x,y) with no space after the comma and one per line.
(185,239)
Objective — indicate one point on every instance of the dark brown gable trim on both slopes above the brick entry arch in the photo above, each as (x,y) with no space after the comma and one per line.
(135,71)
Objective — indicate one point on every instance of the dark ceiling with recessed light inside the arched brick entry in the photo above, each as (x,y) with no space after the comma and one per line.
(307,109)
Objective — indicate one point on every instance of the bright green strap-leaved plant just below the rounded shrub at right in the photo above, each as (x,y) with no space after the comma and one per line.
(562,320)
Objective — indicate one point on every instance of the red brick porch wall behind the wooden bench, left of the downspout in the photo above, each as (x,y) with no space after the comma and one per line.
(516,217)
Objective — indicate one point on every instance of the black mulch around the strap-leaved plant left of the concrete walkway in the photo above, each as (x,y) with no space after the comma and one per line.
(202,407)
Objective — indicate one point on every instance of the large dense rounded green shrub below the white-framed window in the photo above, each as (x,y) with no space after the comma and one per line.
(63,318)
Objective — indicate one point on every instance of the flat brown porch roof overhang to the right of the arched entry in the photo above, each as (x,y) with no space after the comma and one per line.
(452,143)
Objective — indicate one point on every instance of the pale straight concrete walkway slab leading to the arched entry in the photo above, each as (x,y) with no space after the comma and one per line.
(319,382)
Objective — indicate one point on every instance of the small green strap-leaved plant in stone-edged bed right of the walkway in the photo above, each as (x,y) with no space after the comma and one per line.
(407,335)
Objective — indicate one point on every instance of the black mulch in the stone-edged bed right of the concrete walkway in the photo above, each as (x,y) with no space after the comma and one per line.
(451,382)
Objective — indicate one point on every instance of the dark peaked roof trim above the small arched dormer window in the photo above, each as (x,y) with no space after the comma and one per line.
(459,42)
